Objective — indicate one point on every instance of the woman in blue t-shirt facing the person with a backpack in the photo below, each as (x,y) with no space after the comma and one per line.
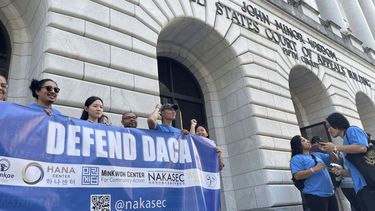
(318,189)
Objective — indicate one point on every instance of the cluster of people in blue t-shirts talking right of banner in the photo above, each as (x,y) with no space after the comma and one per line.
(312,165)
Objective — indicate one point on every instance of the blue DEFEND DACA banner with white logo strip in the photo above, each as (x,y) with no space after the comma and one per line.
(62,163)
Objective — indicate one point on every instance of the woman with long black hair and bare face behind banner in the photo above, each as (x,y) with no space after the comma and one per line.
(93,109)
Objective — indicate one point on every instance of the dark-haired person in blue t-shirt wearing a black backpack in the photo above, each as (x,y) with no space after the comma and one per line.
(355,142)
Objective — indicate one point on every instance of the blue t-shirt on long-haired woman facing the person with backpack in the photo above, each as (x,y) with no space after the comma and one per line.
(319,183)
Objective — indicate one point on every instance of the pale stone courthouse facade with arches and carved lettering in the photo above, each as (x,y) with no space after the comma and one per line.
(254,72)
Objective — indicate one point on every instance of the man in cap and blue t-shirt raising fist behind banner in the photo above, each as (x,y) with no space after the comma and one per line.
(168,114)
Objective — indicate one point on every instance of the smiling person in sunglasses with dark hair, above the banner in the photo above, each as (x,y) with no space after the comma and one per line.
(45,92)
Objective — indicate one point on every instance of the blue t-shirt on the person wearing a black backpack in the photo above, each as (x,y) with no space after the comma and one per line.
(355,135)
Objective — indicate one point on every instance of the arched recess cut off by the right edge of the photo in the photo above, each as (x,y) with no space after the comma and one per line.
(366,111)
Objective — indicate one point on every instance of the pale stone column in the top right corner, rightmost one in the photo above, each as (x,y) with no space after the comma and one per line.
(358,23)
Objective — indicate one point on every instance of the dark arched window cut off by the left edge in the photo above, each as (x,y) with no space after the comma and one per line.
(4,51)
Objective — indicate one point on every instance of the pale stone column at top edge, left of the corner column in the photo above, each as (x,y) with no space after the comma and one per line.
(329,10)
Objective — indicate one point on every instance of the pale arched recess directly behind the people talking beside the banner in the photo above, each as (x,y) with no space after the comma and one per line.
(311,102)
